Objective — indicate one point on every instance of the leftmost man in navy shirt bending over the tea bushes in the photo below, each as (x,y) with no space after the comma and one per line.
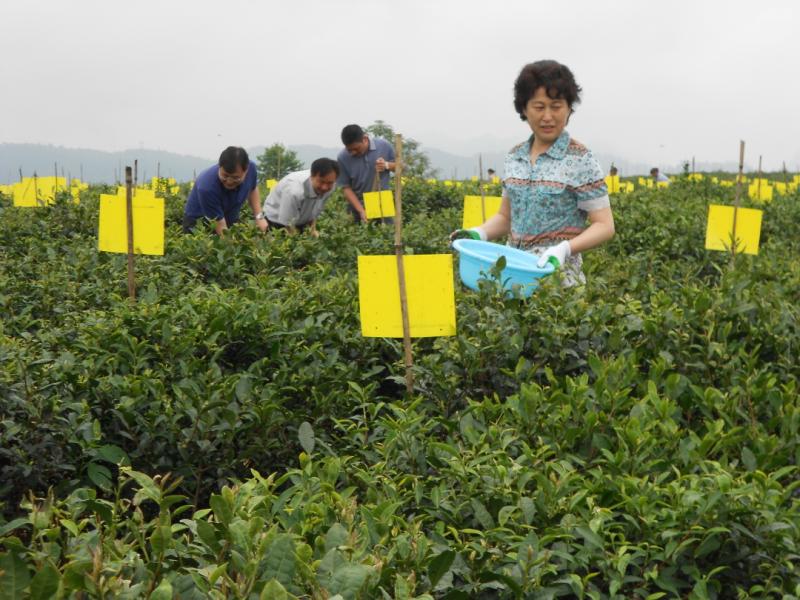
(220,191)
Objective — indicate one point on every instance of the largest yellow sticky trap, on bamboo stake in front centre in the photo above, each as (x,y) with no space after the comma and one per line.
(429,291)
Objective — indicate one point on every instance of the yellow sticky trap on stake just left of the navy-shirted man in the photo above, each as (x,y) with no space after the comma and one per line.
(148,225)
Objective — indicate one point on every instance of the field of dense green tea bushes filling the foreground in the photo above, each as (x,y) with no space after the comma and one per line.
(231,434)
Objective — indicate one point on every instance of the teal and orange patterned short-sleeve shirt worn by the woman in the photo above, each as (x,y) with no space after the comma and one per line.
(550,199)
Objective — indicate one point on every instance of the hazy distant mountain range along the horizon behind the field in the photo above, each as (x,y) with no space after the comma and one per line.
(97,166)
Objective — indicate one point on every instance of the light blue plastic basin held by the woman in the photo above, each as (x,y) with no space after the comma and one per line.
(476,258)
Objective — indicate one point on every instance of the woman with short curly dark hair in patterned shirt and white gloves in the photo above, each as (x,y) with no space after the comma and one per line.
(552,184)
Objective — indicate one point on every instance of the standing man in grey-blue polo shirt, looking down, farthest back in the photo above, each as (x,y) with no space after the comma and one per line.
(362,158)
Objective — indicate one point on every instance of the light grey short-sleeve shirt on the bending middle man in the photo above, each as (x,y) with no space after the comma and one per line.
(293,200)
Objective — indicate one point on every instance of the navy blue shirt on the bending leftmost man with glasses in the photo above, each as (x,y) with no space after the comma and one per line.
(210,199)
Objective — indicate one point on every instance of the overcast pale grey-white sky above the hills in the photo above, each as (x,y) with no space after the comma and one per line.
(662,81)
